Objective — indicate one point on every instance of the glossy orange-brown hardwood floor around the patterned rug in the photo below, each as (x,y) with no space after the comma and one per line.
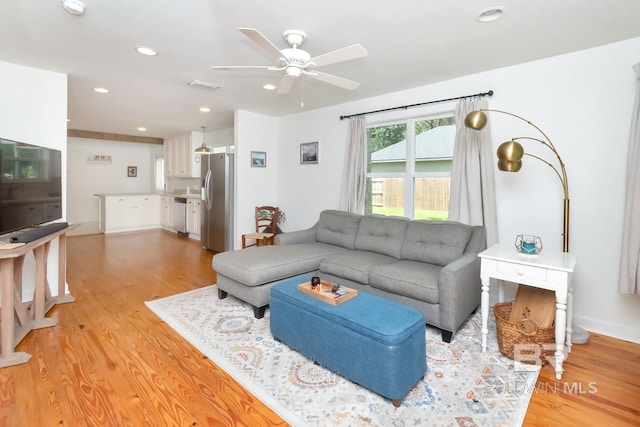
(111,362)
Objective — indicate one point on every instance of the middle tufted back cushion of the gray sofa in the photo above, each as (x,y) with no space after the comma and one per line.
(381,234)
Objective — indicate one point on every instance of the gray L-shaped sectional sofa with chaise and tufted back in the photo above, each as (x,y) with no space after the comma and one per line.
(432,266)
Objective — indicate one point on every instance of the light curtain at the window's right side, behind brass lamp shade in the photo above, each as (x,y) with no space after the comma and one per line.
(473,194)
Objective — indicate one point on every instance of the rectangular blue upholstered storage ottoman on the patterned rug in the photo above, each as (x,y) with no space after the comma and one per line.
(371,341)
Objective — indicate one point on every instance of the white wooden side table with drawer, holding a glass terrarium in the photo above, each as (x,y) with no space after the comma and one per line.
(548,270)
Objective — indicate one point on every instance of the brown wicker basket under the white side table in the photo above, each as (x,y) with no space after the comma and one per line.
(510,333)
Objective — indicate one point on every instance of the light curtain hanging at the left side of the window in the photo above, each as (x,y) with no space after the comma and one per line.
(353,189)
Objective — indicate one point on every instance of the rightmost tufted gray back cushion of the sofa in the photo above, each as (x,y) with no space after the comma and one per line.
(435,242)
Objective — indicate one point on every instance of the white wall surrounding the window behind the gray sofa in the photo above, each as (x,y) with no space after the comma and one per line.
(583,101)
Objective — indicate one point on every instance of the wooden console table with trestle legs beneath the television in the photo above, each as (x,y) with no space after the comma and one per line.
(19,318)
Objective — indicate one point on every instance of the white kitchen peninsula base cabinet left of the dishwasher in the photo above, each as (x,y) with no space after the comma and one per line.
(131,212)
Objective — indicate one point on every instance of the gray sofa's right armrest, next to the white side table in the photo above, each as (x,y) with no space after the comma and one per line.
(459,290)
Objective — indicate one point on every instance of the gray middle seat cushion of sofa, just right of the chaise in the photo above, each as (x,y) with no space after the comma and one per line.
(354,265)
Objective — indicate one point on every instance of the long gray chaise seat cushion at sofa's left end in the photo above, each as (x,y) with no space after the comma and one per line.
(259,265)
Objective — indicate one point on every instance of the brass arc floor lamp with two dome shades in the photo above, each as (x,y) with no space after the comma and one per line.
(510,155)
